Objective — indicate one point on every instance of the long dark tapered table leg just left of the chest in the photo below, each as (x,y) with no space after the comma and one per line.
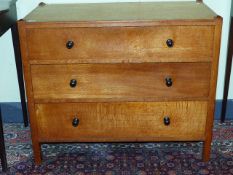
(18,62)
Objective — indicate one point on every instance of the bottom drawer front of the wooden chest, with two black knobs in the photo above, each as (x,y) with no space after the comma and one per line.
(128,121)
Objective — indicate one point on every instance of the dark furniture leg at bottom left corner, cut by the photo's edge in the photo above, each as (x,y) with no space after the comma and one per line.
(2,147)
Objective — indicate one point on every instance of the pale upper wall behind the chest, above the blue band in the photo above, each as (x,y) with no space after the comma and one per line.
(9,91)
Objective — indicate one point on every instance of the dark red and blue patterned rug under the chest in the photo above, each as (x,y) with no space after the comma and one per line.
(120,158)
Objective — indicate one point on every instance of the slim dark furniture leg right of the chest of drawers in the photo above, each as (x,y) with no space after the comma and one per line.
(227,73)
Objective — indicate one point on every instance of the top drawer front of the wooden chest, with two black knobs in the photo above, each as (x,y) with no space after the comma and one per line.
(125,44)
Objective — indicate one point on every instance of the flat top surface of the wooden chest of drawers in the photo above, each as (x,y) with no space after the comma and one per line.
(136,11)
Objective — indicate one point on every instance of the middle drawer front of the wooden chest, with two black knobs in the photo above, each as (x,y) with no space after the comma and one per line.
(121,82)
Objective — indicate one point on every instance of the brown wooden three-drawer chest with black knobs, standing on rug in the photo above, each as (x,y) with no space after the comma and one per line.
(121,72)
